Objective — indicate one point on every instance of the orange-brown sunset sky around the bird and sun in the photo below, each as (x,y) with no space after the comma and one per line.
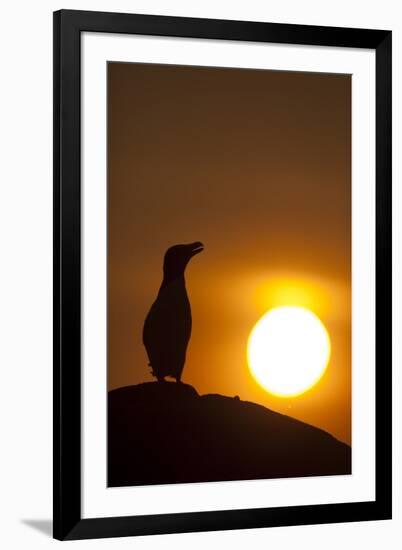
(256,165)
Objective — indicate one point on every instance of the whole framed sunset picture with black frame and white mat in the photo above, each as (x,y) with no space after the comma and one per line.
(222,274)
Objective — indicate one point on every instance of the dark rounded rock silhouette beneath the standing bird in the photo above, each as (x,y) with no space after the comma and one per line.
(167,433)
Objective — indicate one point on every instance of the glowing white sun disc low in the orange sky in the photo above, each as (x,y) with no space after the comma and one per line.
(288,350)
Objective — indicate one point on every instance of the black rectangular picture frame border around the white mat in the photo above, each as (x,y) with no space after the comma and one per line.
(68,521)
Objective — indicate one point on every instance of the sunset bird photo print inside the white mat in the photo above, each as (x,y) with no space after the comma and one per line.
(228,274)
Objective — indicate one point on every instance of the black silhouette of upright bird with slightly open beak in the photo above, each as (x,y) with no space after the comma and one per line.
(167,327)
